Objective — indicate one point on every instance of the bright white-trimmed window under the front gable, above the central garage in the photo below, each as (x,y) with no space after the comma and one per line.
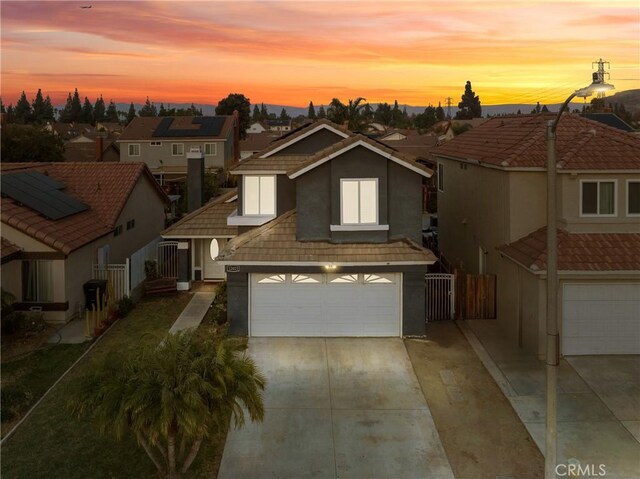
(359,201)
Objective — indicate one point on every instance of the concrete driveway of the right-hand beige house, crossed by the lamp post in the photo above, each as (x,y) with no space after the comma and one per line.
(590,427)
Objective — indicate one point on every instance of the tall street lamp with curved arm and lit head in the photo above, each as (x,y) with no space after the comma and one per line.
(553,340)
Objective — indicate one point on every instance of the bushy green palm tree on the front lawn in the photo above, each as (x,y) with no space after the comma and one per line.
(173,396)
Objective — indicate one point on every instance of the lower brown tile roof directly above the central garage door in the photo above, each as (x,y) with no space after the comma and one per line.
(275,242)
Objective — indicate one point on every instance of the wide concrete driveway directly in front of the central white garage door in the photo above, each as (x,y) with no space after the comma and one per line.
(337,408)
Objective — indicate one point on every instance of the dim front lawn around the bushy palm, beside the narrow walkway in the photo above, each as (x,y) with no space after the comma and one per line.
(53,444)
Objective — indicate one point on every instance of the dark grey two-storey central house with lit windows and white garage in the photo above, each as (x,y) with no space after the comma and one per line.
(329,239)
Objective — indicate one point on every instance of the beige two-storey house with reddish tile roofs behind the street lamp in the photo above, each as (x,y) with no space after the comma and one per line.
(492,213)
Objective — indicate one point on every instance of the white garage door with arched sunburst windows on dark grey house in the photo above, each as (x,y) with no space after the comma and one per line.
(325,304)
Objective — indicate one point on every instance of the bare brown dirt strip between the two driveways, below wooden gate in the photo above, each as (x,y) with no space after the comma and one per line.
(480,431)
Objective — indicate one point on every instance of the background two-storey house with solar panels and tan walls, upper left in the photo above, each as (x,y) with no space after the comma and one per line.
(162,143)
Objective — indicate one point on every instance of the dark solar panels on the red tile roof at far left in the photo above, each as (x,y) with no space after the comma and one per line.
(40,193)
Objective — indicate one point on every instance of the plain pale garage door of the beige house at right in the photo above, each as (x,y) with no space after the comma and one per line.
(601,319)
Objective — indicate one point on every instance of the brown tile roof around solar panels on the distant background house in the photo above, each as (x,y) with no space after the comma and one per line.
(142,128)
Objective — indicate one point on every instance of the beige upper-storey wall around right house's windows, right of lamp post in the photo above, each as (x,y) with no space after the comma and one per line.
(570,205)
